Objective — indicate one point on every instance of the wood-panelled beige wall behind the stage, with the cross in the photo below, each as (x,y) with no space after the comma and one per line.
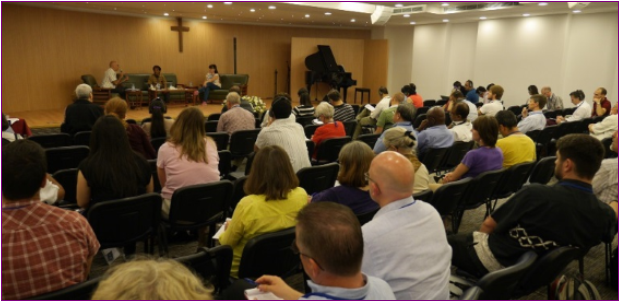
(44,52)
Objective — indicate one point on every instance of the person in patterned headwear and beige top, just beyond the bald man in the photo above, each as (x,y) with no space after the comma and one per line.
(403,141)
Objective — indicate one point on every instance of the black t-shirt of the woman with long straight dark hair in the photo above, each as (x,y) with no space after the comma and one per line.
(102,192)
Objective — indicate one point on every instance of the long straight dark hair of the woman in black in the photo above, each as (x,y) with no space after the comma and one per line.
(114,160)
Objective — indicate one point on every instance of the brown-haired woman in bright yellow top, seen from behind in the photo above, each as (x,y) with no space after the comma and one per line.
(273,201)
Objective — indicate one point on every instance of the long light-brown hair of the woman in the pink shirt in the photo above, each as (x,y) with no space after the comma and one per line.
(188,133)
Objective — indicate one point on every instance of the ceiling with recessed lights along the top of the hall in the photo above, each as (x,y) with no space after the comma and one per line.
(288,14)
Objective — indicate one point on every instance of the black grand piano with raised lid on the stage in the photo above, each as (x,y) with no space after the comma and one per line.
(323,69)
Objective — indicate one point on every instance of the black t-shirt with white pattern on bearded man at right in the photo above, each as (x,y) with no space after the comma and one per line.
(541,217)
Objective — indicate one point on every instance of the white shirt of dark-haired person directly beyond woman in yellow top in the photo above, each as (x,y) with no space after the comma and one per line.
(289,135)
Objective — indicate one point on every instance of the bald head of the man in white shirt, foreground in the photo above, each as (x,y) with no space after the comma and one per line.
(391,177)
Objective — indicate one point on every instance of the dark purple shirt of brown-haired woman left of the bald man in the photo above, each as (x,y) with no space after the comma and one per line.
(359,201)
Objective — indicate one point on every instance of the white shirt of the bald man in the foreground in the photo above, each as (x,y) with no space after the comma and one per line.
(405,244)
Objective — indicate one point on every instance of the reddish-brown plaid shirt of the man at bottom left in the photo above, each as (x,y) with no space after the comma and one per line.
(44,249)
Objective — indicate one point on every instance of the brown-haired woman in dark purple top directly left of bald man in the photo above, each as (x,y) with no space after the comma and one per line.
(353,192)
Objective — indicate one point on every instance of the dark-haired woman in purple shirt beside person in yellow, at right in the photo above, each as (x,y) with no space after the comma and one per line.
(486,158)
